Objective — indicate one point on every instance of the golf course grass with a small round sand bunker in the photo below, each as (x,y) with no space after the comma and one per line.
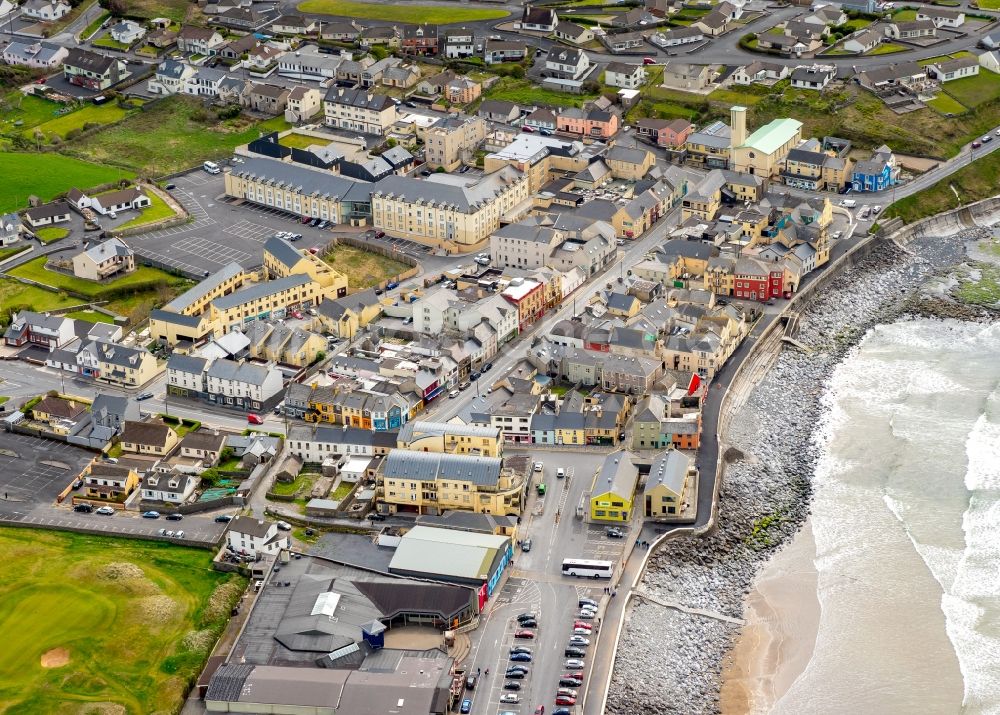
(121,626)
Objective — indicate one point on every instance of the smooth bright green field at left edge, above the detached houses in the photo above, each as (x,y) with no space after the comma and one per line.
(48,175)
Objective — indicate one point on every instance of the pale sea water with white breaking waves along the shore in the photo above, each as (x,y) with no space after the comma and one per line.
(906,515)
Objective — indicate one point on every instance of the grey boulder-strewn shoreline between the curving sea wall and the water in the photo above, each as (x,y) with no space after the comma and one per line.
(671,662)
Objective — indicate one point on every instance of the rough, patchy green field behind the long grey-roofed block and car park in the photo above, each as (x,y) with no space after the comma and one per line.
(176,134)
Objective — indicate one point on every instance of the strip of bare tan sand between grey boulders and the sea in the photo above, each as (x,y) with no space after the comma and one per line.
(782,618)
